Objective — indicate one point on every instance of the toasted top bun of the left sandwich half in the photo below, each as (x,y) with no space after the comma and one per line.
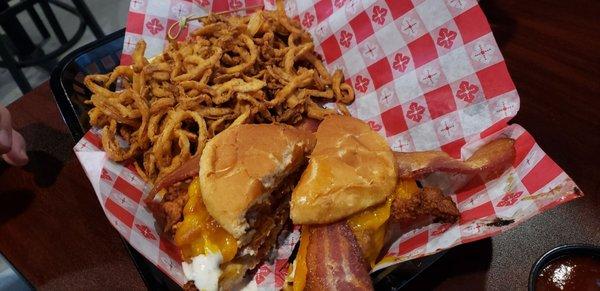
(241,167)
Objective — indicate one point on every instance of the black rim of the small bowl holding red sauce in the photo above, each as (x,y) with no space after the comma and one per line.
(559,251)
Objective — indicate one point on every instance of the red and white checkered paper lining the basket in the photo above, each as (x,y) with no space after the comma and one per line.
(428,75)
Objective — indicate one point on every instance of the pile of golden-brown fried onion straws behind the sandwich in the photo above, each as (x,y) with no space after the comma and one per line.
(260,68)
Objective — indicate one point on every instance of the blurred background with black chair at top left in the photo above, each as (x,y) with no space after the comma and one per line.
(35,34)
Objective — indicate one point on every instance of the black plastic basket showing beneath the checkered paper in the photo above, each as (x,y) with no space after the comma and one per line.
(102,56)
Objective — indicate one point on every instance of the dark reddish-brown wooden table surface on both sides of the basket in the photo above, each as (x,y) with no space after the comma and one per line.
(54,232)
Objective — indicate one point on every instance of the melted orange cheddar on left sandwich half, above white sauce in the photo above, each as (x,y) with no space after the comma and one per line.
(199,233)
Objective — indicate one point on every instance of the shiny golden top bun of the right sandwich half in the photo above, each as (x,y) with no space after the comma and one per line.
(351,168)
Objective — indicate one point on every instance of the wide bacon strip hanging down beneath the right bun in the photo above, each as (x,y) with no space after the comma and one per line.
(334,260)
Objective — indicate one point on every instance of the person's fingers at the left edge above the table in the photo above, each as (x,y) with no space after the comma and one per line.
(12,144)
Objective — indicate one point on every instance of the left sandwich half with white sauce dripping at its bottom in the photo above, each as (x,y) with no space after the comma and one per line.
(239,202)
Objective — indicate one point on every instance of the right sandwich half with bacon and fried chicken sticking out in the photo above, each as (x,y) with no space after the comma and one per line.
(357,196)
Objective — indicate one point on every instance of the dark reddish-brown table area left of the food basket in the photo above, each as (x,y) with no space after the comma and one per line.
(52,228)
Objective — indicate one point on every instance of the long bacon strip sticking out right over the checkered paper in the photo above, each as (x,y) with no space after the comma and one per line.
(491,158)
